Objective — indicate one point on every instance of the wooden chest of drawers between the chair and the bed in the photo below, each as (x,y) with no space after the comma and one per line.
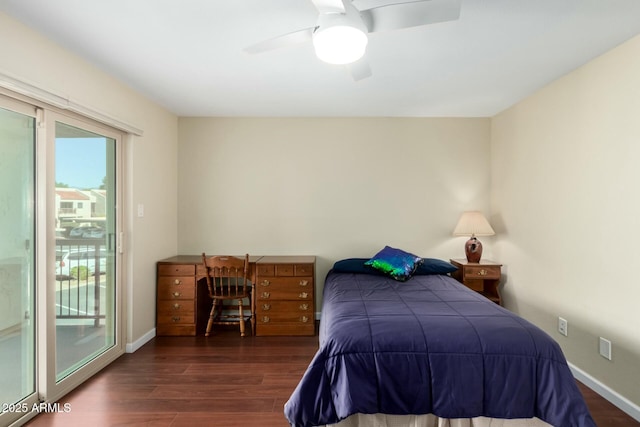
(285,292)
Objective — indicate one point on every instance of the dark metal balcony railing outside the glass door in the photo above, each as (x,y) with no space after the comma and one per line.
(80,279)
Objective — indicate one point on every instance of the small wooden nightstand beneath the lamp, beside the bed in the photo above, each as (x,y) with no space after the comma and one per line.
(482,277)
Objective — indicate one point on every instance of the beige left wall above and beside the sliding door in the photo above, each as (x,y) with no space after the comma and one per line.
(151,170)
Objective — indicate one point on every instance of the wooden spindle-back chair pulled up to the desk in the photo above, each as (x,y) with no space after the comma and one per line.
(227,280)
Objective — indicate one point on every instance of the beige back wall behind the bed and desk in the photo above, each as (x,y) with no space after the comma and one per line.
(330,187)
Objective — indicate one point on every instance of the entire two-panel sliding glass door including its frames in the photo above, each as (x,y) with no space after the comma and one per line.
(60,216)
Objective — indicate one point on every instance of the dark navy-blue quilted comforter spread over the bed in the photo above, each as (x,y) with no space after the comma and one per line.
(430,345)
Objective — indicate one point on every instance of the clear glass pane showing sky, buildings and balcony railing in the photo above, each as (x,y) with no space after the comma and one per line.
(85,246)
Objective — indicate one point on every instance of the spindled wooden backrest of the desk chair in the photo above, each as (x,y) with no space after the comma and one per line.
(226,276)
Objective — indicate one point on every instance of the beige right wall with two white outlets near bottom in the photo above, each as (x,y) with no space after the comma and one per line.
(565,199)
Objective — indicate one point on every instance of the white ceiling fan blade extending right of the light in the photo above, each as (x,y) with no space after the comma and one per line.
(410,14)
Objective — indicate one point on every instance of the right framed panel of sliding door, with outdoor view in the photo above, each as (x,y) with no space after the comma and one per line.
(83,292)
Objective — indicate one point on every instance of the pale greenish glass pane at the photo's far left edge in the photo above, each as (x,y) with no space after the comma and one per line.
(17,257)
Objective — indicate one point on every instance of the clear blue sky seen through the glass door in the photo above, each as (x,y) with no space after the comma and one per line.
(81,162)
